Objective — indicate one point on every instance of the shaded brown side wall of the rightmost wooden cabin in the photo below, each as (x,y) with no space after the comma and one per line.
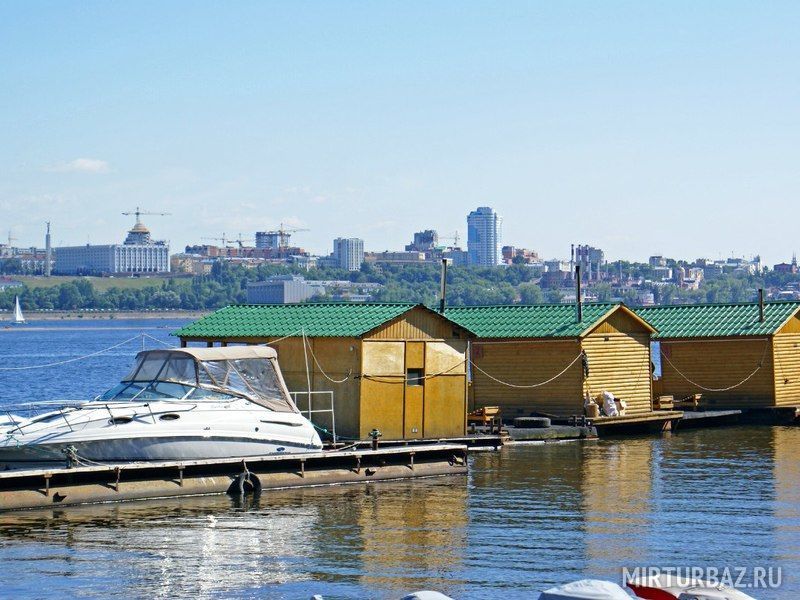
(719,363)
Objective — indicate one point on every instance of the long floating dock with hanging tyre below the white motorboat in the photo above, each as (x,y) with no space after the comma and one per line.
(48,487)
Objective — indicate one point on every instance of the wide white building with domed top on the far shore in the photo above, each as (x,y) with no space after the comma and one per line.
(138,254)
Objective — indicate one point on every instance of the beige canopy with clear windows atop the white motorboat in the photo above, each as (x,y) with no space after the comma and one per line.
(249,371)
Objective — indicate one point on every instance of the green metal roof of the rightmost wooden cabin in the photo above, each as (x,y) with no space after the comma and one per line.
(717,320)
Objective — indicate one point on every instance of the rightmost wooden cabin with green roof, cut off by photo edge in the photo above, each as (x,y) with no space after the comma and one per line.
(729,353)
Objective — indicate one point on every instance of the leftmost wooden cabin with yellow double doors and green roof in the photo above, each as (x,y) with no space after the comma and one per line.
(398,368)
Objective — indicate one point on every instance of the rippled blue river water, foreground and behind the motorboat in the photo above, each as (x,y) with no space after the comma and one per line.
(525,518)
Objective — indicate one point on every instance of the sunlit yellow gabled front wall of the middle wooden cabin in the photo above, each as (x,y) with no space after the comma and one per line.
(619,362)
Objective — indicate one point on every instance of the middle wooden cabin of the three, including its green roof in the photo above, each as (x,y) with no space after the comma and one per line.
(534,358)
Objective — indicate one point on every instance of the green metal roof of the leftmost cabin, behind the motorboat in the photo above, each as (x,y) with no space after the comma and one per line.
(276,320)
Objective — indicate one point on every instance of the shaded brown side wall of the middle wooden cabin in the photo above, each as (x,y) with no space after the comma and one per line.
(524,363)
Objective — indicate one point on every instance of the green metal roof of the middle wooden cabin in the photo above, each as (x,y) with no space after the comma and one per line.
(528,320)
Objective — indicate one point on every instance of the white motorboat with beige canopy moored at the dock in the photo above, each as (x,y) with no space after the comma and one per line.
(188,403)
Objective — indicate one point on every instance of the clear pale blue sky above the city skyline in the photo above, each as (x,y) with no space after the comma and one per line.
(638,127)
